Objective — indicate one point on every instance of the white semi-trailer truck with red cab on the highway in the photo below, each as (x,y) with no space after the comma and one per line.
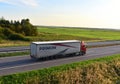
(55,48)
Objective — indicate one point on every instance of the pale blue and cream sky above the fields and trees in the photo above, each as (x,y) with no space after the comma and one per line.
(71,13)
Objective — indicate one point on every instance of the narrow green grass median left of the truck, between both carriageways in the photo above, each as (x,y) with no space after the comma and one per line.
(9,54)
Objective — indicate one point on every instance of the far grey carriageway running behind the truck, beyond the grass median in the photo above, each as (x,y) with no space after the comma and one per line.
(89,44)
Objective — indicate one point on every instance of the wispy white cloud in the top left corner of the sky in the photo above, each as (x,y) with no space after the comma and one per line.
(21,2)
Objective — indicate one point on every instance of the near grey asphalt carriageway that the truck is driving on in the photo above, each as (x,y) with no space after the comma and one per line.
(10,65)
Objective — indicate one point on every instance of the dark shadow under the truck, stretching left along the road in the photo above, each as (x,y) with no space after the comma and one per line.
(31,61)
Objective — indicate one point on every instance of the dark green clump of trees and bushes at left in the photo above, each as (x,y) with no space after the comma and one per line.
(16,30)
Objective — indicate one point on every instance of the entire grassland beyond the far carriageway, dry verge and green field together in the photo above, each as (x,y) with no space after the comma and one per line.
(60,33)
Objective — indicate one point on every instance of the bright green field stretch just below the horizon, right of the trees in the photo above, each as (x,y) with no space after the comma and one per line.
(90,34)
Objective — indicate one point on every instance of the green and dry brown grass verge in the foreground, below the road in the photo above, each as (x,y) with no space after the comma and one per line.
(105,70)
